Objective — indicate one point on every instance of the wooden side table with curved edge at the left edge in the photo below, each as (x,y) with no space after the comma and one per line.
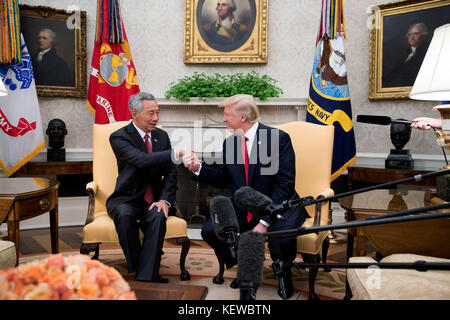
(25,198)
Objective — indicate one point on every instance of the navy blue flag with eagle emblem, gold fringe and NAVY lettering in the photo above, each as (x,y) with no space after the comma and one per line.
(329,96)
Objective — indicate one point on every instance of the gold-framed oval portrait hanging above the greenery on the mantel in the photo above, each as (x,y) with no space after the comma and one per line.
(244,41)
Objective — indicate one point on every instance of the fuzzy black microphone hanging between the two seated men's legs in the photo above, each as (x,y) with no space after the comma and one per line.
(225,222)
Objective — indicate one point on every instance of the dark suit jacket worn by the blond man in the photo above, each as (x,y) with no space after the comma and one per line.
(272,152)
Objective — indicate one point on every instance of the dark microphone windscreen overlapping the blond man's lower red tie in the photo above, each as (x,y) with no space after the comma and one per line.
(248,199)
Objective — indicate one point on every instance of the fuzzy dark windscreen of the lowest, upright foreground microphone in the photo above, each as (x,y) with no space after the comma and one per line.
(251,255)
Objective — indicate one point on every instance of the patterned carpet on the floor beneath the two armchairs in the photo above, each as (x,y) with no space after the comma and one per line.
(202,265)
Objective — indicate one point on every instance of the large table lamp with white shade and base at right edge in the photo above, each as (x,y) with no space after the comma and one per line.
(433,84)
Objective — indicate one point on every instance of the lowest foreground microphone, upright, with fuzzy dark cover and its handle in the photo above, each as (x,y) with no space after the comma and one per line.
(251,259)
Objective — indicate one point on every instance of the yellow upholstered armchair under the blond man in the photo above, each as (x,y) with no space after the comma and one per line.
(313,147)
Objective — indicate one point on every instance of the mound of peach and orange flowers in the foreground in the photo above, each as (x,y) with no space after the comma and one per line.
(75,277)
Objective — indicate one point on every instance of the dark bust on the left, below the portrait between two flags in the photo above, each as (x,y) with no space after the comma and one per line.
(56,131)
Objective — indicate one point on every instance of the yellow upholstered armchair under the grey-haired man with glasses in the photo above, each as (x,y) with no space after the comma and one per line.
(99,227)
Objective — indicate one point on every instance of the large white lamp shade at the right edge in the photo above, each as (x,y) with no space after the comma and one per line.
(433,80)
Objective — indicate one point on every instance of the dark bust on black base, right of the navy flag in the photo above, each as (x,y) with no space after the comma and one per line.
(399,158)
